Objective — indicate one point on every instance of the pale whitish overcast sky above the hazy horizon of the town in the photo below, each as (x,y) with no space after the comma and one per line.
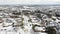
(29,2)
